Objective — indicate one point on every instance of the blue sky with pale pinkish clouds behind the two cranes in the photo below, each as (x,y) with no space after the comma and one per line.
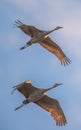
(37,64)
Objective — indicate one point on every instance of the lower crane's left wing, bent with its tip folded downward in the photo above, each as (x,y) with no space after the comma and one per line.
(25,89)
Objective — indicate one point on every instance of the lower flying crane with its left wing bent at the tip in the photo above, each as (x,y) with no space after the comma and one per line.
(39,97)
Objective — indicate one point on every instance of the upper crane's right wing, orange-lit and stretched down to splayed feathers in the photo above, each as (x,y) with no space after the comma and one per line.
(52,47)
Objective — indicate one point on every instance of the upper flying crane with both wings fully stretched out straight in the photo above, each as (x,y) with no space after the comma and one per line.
(41,37)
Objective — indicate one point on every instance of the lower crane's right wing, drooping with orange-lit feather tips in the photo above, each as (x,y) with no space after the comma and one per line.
(53,107)
